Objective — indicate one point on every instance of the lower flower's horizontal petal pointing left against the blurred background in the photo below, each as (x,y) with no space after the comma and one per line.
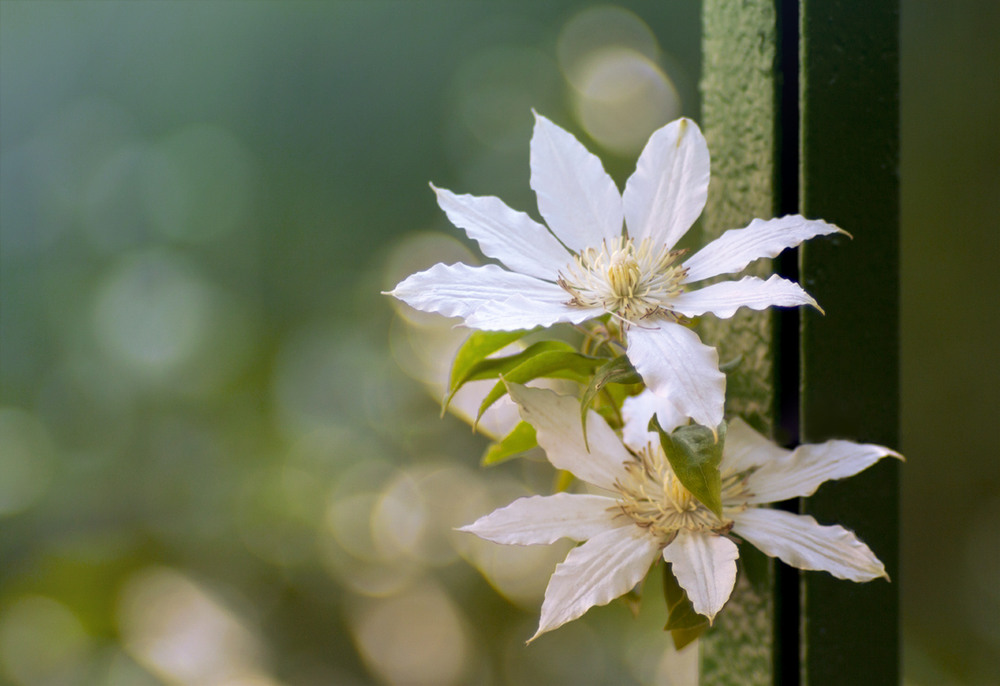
(543,519)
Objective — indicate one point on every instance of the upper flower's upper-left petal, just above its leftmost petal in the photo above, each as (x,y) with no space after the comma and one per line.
(512,237)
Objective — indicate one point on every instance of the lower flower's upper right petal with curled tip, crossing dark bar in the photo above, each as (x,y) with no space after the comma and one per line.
(800,472)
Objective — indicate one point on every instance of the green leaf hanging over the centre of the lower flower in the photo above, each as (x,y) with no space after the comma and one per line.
(694,453)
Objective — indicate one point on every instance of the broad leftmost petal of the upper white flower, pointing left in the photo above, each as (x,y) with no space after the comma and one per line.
(459,290)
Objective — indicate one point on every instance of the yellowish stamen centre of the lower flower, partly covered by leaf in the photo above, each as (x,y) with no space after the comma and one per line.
(654,498)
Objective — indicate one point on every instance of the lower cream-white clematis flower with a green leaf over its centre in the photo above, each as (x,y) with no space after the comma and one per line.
(647,513)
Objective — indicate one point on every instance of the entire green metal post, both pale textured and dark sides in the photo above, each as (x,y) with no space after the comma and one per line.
(800,108)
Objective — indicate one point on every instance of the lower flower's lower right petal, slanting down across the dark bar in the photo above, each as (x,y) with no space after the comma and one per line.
(798,540)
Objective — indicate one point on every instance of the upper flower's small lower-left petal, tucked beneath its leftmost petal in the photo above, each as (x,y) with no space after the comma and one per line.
(543,307)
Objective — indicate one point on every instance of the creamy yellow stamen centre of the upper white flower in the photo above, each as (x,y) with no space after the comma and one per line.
(629,281)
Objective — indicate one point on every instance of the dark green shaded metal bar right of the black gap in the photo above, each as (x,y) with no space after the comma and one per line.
(850,379)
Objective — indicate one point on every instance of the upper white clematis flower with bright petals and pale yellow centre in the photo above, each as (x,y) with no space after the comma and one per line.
(584,265)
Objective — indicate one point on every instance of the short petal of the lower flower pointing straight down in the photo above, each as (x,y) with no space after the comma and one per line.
(705,566)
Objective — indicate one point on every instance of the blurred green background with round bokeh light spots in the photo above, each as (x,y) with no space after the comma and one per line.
(218,463)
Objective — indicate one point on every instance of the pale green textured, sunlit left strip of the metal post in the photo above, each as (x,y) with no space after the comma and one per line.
(739,115)
